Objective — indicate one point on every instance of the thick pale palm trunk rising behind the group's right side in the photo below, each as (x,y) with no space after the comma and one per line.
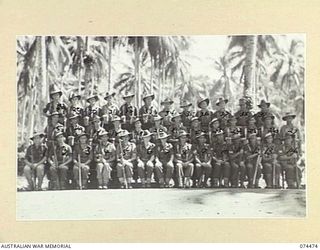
(250,67)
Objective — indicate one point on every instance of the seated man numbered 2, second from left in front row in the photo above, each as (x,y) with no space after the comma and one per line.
(59,158)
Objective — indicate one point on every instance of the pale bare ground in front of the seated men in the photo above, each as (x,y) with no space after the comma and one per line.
(160,203)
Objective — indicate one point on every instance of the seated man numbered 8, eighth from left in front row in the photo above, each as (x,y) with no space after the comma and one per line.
(184,160)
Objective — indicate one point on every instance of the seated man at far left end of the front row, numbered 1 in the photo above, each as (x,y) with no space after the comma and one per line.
(34,159)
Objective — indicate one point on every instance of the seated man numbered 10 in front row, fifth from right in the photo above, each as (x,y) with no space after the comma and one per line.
(221,165)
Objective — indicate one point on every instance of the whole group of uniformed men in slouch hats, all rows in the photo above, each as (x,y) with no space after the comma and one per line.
(187,148)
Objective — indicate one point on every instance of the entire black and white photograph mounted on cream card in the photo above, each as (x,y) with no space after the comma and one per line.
(160,127)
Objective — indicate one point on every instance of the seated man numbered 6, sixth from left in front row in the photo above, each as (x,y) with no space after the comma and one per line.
(146,157)
